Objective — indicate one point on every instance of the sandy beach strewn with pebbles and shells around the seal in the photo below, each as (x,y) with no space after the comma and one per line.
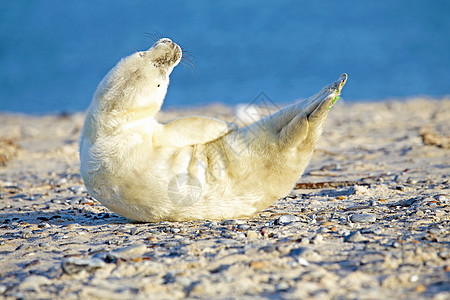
(369,219)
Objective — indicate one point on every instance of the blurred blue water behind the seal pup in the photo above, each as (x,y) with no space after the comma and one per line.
(54,53)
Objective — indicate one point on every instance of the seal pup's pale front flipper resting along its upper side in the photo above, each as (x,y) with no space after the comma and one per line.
(192,130)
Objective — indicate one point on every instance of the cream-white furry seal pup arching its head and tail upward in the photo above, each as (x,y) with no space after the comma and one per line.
(193,167)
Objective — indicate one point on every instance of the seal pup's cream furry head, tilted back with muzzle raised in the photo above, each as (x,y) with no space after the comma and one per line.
(138,84)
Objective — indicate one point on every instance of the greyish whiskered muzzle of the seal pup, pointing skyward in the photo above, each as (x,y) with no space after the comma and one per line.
(165,53)
